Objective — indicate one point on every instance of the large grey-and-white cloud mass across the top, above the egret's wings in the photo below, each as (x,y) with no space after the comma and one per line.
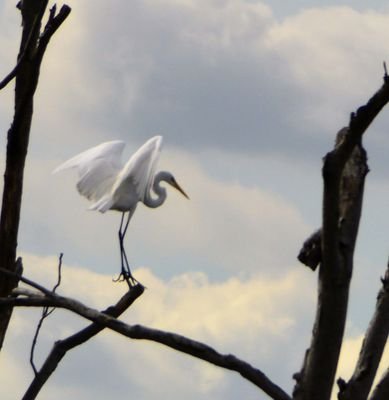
(220,75)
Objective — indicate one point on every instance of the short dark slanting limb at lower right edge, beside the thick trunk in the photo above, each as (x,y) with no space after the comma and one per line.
(359,386)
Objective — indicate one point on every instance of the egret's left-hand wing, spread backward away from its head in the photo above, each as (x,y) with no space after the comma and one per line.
(97,168)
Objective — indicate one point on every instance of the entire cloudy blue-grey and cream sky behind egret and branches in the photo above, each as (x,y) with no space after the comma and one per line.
(248,96)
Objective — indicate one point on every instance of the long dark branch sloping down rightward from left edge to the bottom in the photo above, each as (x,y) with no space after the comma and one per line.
(172,340)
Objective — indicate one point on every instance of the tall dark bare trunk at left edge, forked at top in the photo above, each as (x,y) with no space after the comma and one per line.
(26,79)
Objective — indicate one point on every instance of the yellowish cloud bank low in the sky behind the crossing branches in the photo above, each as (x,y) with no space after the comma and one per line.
(268,313)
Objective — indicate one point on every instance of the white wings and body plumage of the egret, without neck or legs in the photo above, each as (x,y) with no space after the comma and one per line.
(110,185)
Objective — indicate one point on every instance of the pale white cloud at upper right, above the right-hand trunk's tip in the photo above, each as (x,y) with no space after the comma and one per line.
(337,68)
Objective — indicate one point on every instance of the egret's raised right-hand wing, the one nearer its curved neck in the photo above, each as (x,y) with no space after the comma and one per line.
(140,168)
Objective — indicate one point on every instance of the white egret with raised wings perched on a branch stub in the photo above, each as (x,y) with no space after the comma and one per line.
(111,185)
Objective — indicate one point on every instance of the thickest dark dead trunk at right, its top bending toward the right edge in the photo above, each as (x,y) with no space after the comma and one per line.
(344,172)
